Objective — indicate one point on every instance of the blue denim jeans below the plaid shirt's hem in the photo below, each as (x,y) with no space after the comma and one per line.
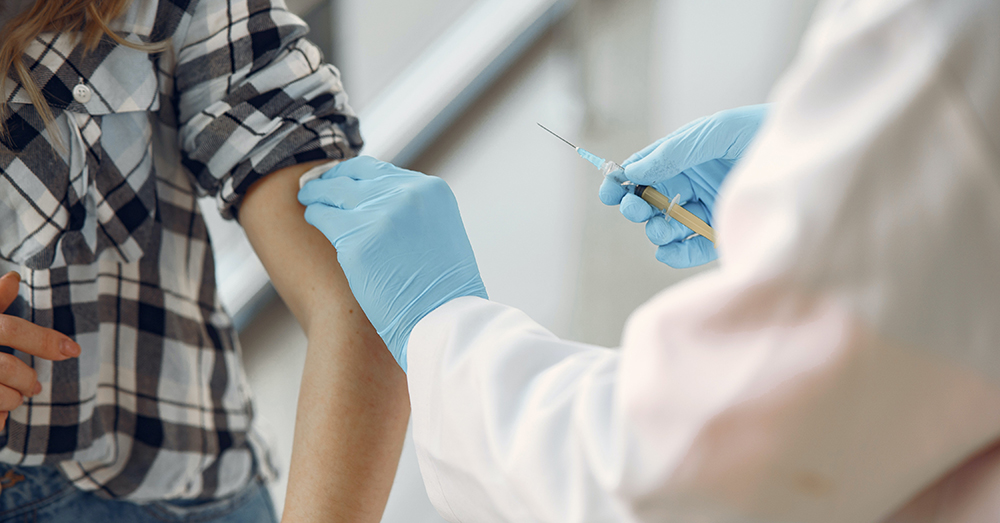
(44,495)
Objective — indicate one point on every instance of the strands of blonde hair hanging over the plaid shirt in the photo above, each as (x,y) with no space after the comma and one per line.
(88,18)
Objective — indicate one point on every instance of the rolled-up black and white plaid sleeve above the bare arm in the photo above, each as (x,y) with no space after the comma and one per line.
(254,96)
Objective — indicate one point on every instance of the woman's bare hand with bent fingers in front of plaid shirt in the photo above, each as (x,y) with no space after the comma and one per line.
(17,379)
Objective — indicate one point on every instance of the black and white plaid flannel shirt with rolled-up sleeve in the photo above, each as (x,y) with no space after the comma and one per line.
(102,223)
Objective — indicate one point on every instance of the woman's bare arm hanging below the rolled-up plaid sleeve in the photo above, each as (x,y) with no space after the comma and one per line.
(353,404)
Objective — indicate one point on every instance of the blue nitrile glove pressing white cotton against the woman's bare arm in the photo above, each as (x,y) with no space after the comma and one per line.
(400,239)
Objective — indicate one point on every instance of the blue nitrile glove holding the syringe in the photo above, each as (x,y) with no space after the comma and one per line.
(692,161)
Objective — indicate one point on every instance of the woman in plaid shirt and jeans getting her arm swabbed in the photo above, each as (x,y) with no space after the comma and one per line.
(117,115)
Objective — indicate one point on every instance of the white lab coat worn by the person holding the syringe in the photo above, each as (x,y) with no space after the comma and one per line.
(841,365)
